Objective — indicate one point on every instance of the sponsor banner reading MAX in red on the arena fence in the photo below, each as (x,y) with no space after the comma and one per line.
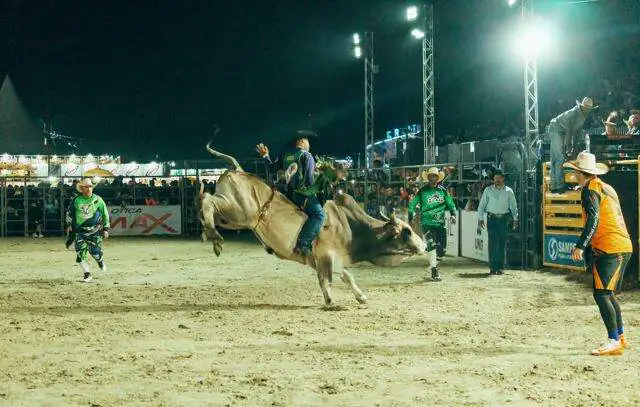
(145,220)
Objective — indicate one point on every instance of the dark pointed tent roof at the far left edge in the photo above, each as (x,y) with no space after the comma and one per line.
(19,134)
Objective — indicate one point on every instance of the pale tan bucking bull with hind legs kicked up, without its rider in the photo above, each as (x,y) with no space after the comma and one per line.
(348,234)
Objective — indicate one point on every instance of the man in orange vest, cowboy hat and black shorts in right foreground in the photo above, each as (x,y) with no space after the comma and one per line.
(606,234)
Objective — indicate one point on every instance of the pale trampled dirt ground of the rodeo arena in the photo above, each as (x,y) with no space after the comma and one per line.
(172,325)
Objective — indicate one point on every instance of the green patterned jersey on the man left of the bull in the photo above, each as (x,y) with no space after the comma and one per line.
(87,214)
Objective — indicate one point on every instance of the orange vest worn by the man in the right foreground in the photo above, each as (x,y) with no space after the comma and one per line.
(611,234)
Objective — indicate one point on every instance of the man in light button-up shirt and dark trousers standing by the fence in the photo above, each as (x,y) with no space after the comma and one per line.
(498,200)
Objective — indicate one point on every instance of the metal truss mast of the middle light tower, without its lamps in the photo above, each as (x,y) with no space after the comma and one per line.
(428,91)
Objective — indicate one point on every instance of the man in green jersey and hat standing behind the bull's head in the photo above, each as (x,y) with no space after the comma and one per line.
(433,200)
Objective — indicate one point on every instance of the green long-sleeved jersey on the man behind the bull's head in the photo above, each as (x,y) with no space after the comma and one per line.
(433,202)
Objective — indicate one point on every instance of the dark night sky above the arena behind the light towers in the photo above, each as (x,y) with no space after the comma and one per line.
(146,78)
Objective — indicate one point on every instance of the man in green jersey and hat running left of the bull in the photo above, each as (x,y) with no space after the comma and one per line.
(87,220)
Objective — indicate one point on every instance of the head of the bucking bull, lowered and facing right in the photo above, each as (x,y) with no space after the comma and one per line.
(396,241)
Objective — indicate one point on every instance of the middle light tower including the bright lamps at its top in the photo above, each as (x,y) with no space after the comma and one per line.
(423,30)
